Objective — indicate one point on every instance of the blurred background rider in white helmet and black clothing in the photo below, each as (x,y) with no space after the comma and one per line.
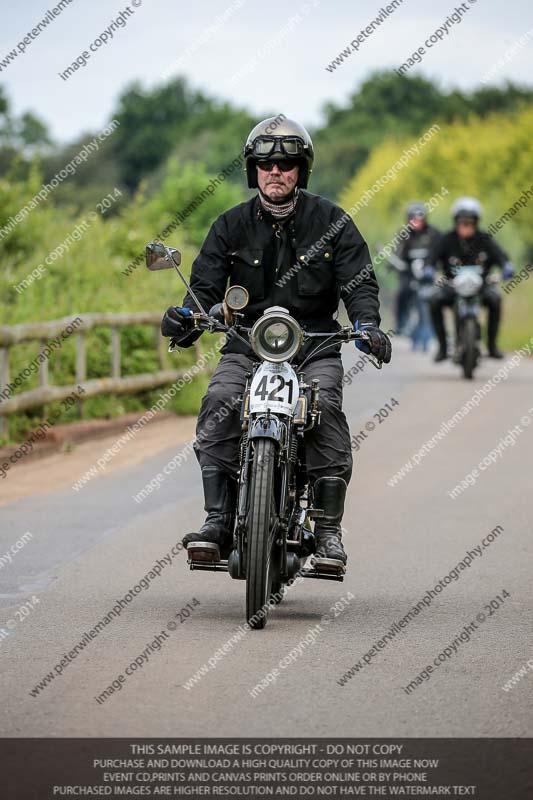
(464,245)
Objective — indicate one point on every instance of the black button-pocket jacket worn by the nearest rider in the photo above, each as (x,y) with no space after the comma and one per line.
(306,264)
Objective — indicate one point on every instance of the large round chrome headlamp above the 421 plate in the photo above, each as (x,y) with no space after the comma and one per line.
(276,336)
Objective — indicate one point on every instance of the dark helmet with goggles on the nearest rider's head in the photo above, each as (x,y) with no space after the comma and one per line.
(279,138)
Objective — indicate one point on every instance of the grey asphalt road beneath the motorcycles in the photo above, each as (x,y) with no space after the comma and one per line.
(89,548)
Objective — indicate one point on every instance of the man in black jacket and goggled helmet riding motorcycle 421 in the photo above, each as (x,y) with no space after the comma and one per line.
(294,249)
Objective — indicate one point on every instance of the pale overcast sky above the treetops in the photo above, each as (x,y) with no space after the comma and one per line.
(267,57)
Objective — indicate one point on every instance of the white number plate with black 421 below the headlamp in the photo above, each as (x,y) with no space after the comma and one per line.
(274,387)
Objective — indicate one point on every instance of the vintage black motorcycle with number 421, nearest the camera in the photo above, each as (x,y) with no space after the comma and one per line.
(272,536)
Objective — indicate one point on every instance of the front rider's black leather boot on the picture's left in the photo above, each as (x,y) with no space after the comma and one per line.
(220,493)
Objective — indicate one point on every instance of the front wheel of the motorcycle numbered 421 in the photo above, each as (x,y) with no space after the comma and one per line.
(262,525)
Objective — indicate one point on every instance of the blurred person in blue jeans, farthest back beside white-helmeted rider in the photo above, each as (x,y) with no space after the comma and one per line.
(410,257)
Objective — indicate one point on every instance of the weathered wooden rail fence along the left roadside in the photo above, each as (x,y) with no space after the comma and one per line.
(45,332)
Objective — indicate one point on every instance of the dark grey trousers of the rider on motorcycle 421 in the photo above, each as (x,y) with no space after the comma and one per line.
(328,450)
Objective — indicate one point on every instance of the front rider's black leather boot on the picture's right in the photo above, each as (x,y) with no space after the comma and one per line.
(329,495)
